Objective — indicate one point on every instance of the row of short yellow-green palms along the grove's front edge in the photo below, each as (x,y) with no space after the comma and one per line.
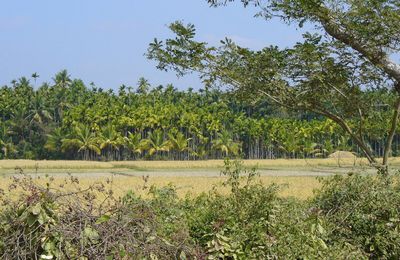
(109,144)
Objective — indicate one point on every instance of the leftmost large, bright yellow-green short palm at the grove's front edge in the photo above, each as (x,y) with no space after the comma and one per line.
(82,139)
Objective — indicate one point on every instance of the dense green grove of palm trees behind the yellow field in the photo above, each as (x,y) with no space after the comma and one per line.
(67,120)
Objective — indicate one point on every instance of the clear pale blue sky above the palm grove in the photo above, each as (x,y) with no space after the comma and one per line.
(104,41)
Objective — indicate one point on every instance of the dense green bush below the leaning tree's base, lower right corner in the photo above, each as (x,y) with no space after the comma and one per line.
(363,211)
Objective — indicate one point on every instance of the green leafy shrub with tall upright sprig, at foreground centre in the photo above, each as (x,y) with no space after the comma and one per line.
(252,222)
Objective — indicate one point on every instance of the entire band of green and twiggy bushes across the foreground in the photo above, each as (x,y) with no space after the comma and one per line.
(350,217)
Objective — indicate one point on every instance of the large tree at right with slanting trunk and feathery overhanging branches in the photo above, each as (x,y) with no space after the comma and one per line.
(350,50)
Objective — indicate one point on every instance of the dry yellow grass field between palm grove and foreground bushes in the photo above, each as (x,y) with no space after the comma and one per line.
(298,186)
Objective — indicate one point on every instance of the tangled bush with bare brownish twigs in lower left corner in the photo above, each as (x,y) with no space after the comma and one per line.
(50,222)
